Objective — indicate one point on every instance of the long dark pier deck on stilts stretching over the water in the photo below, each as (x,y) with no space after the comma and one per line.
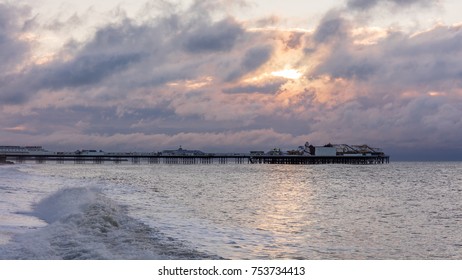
(140,158)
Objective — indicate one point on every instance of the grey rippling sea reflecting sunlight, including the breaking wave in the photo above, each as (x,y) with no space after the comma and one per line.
(396,211)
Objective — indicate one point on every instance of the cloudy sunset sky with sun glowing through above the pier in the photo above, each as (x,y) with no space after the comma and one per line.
(232,76)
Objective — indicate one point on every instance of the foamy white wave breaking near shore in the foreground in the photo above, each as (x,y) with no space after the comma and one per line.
(84,224)
